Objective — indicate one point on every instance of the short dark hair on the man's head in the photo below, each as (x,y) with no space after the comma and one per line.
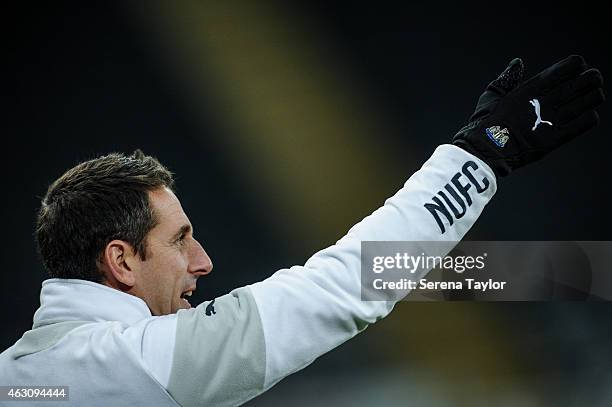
(94,203)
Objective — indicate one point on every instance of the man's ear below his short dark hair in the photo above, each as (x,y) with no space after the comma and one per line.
(120,263)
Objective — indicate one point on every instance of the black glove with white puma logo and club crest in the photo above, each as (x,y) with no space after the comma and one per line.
(516,122)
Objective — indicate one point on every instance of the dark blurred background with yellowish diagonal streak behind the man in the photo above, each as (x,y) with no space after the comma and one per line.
(285,124)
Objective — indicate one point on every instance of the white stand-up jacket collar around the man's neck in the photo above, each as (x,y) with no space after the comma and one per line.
(80,300)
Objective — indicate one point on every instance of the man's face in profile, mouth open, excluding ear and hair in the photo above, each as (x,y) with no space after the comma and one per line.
(174,259)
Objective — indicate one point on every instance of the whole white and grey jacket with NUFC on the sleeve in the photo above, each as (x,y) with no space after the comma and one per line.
(108,348)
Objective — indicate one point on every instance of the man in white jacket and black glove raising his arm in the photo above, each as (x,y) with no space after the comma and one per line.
(114,322)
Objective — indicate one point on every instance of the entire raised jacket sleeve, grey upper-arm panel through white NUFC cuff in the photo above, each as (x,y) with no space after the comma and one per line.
(230,350)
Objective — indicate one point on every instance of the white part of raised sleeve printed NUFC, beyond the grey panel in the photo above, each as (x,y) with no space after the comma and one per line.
(308,310)
